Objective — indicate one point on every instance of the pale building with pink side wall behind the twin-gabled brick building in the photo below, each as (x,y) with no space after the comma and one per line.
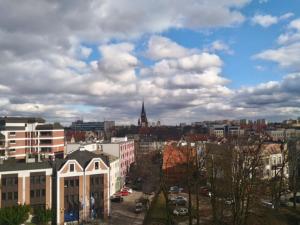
(124,150)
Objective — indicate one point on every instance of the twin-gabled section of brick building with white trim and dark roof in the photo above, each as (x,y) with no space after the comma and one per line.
(82,184)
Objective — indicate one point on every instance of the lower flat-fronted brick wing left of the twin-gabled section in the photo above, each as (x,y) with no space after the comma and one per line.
(26,183)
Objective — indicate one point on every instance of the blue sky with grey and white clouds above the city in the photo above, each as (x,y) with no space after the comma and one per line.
(189,60)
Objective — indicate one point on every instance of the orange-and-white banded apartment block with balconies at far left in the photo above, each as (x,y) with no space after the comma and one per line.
(21,137)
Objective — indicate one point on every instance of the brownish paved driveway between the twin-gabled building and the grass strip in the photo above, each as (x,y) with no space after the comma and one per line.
(124,213)
